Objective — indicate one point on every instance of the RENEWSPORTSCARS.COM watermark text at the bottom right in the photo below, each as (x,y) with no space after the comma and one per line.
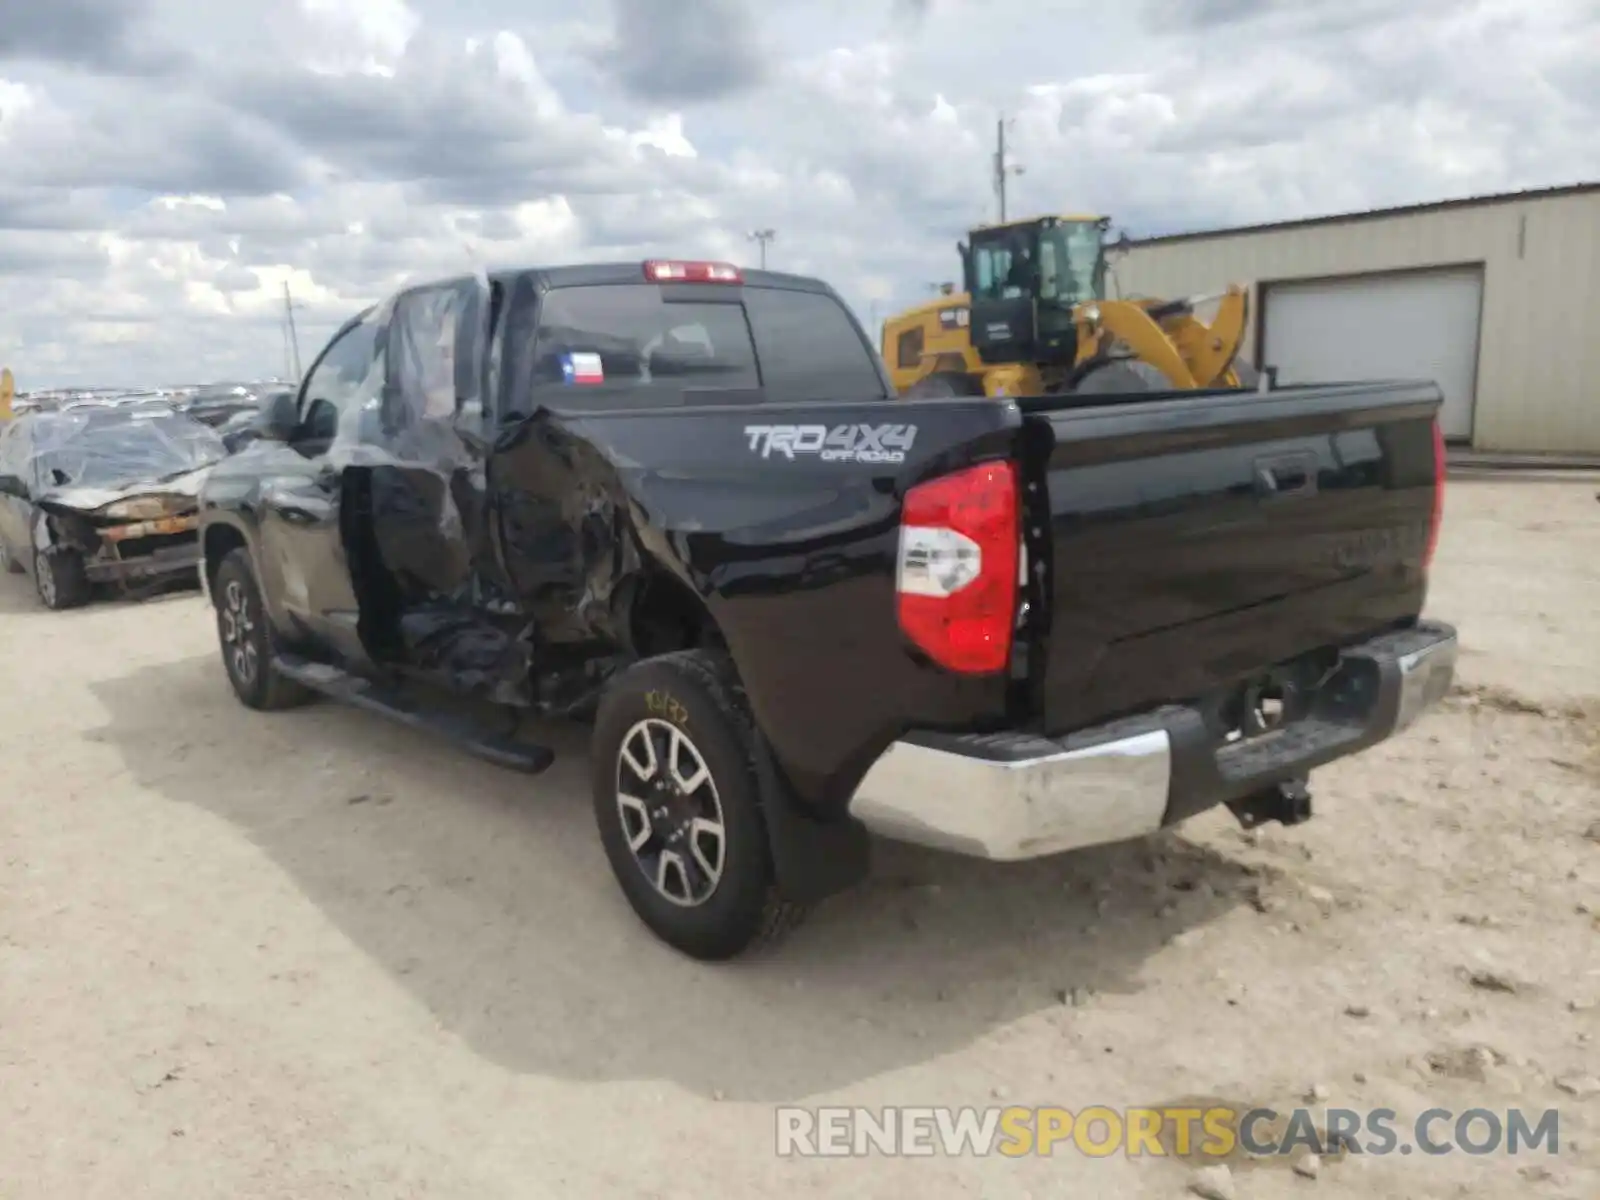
(1161,1132)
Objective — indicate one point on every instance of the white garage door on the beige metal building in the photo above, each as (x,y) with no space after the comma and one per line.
(1420,326)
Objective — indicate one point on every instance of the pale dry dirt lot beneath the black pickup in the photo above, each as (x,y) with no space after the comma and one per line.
(313,954)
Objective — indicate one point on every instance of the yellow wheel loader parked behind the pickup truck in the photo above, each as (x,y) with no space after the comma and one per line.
(1034,319)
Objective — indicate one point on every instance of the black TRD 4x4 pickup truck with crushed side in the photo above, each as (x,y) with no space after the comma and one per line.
(684,500)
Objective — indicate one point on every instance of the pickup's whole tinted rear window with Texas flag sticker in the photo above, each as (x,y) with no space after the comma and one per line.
(625,345)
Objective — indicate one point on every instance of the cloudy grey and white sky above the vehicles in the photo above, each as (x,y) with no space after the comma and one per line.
(172,164)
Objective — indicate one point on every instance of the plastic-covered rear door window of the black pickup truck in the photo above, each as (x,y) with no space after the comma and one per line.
(431,350)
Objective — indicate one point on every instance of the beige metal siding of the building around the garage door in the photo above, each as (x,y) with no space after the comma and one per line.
(1540,350)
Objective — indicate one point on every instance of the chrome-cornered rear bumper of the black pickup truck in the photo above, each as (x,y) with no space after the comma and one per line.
(1023,796)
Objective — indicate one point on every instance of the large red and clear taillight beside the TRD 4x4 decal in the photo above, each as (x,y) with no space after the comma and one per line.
(958,569)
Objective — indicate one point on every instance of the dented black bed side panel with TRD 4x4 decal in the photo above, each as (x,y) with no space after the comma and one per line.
(786,562)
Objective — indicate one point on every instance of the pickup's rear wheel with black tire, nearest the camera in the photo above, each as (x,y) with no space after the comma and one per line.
(697,695)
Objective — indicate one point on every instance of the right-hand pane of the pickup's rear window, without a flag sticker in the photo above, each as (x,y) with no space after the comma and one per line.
(810,350)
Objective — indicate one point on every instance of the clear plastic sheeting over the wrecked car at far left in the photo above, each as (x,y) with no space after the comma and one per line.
(84,455)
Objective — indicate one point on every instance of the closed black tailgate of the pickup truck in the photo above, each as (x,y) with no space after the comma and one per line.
(1191,545)
